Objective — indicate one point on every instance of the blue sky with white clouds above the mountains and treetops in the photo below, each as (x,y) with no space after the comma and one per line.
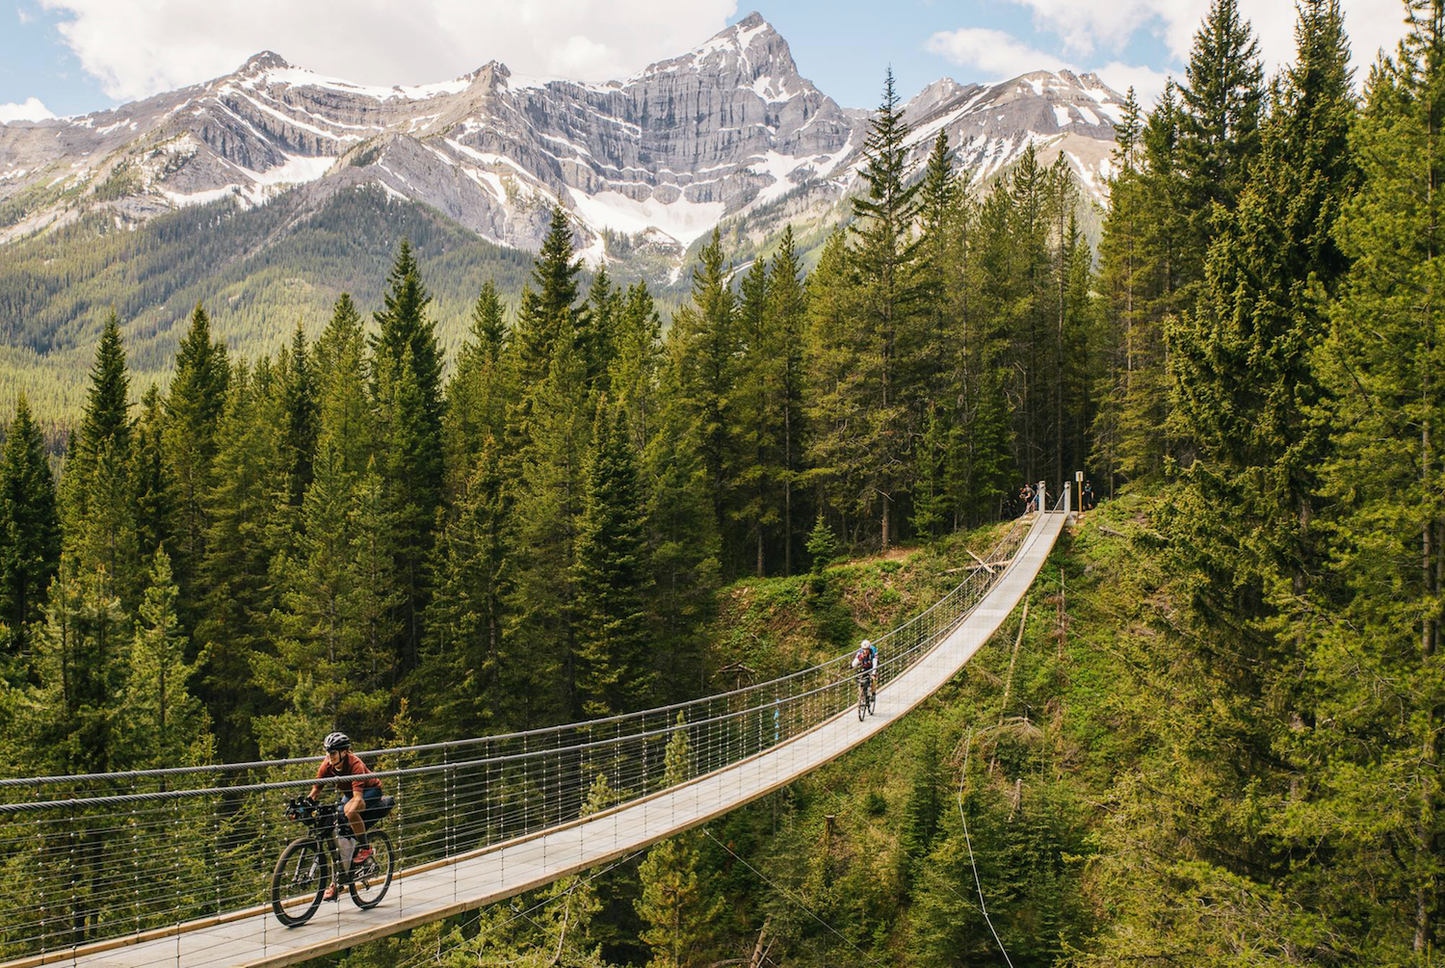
(74,57)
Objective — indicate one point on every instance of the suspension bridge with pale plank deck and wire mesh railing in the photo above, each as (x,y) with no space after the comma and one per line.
(173,866)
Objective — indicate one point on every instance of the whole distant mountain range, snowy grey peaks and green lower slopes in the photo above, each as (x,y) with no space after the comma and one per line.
(225,190)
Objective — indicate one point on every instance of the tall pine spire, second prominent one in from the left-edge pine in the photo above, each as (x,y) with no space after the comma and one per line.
(193,418)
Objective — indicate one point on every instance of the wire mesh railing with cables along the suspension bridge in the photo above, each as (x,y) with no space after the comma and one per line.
(93,857)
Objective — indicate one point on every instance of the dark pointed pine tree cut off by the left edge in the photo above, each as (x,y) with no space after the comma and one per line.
(30,540)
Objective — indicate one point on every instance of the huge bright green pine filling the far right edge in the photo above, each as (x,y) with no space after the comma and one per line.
(1381,492)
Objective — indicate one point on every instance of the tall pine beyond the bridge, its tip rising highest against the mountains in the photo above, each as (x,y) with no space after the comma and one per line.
(884,255)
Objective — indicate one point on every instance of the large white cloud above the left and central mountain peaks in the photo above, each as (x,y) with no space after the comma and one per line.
(137,48)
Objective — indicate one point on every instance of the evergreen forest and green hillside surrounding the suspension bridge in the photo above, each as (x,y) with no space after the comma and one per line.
(1216,742)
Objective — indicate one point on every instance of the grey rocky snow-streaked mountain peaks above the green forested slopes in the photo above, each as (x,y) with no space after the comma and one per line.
(660,157)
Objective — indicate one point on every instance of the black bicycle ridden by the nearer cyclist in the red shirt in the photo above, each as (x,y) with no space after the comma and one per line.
(306,868)
